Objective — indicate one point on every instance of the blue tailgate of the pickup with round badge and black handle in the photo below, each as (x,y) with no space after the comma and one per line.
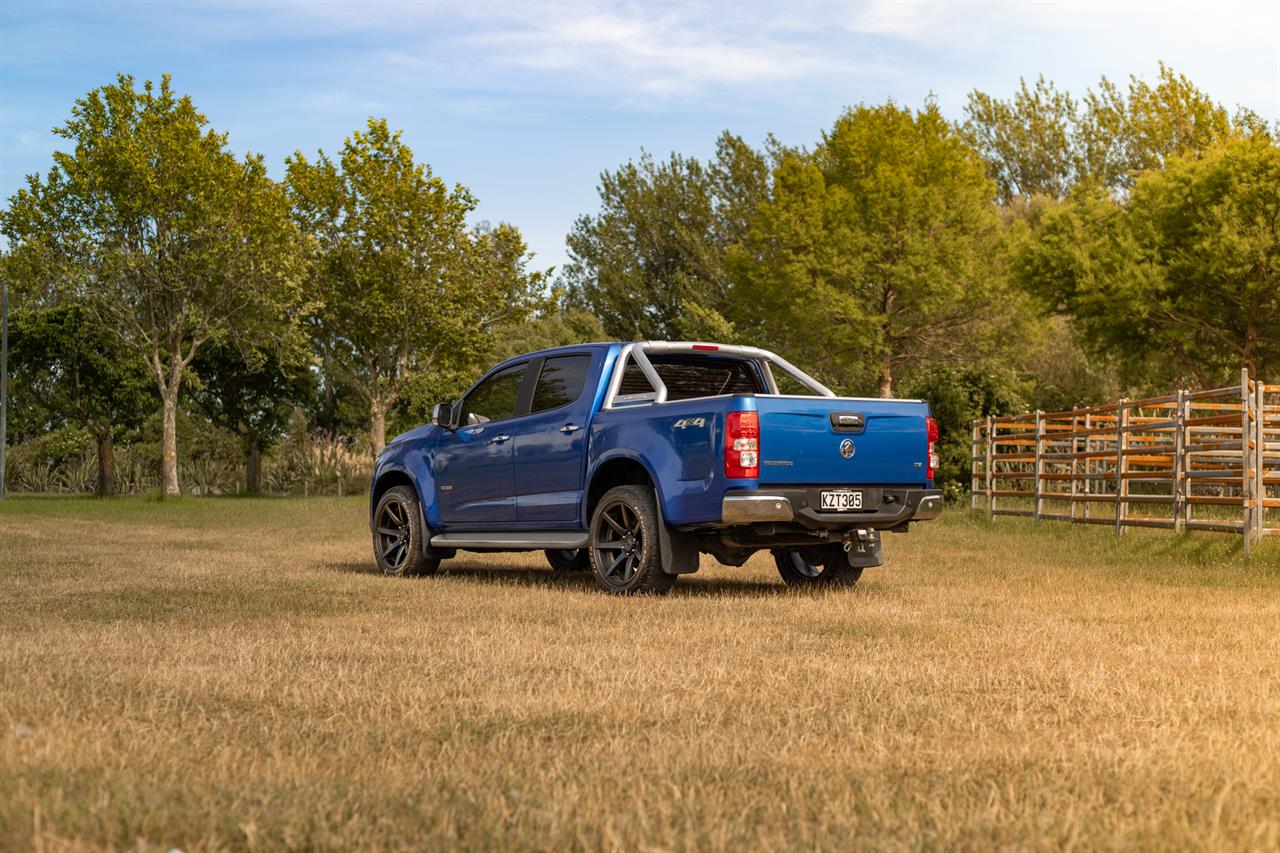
(802,439)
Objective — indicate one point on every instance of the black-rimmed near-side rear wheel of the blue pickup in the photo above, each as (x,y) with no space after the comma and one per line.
(624,550)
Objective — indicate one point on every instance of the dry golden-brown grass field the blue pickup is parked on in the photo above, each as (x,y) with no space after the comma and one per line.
(227,674)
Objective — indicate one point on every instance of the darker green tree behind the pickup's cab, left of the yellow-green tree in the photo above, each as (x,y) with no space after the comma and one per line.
(657,247)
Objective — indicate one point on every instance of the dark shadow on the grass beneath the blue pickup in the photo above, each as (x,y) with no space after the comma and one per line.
(508,576)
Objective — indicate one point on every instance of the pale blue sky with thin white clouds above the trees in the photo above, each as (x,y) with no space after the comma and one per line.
(528,103)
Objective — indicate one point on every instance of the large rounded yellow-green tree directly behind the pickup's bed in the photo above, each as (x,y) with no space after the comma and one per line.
(877,252)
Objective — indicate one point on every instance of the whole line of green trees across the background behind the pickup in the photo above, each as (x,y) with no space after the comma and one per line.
(1041,253)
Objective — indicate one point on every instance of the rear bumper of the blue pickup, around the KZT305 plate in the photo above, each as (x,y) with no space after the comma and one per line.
(886,508)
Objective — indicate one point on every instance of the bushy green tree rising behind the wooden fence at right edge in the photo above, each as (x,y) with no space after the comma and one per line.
(1187,266)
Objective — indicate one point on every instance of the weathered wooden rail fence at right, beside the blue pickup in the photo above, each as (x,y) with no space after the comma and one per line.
(1194,460)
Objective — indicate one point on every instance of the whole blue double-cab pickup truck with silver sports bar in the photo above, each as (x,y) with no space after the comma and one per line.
(630,460)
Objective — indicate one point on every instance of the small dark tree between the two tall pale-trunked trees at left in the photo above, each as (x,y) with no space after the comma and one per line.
(252,399)
